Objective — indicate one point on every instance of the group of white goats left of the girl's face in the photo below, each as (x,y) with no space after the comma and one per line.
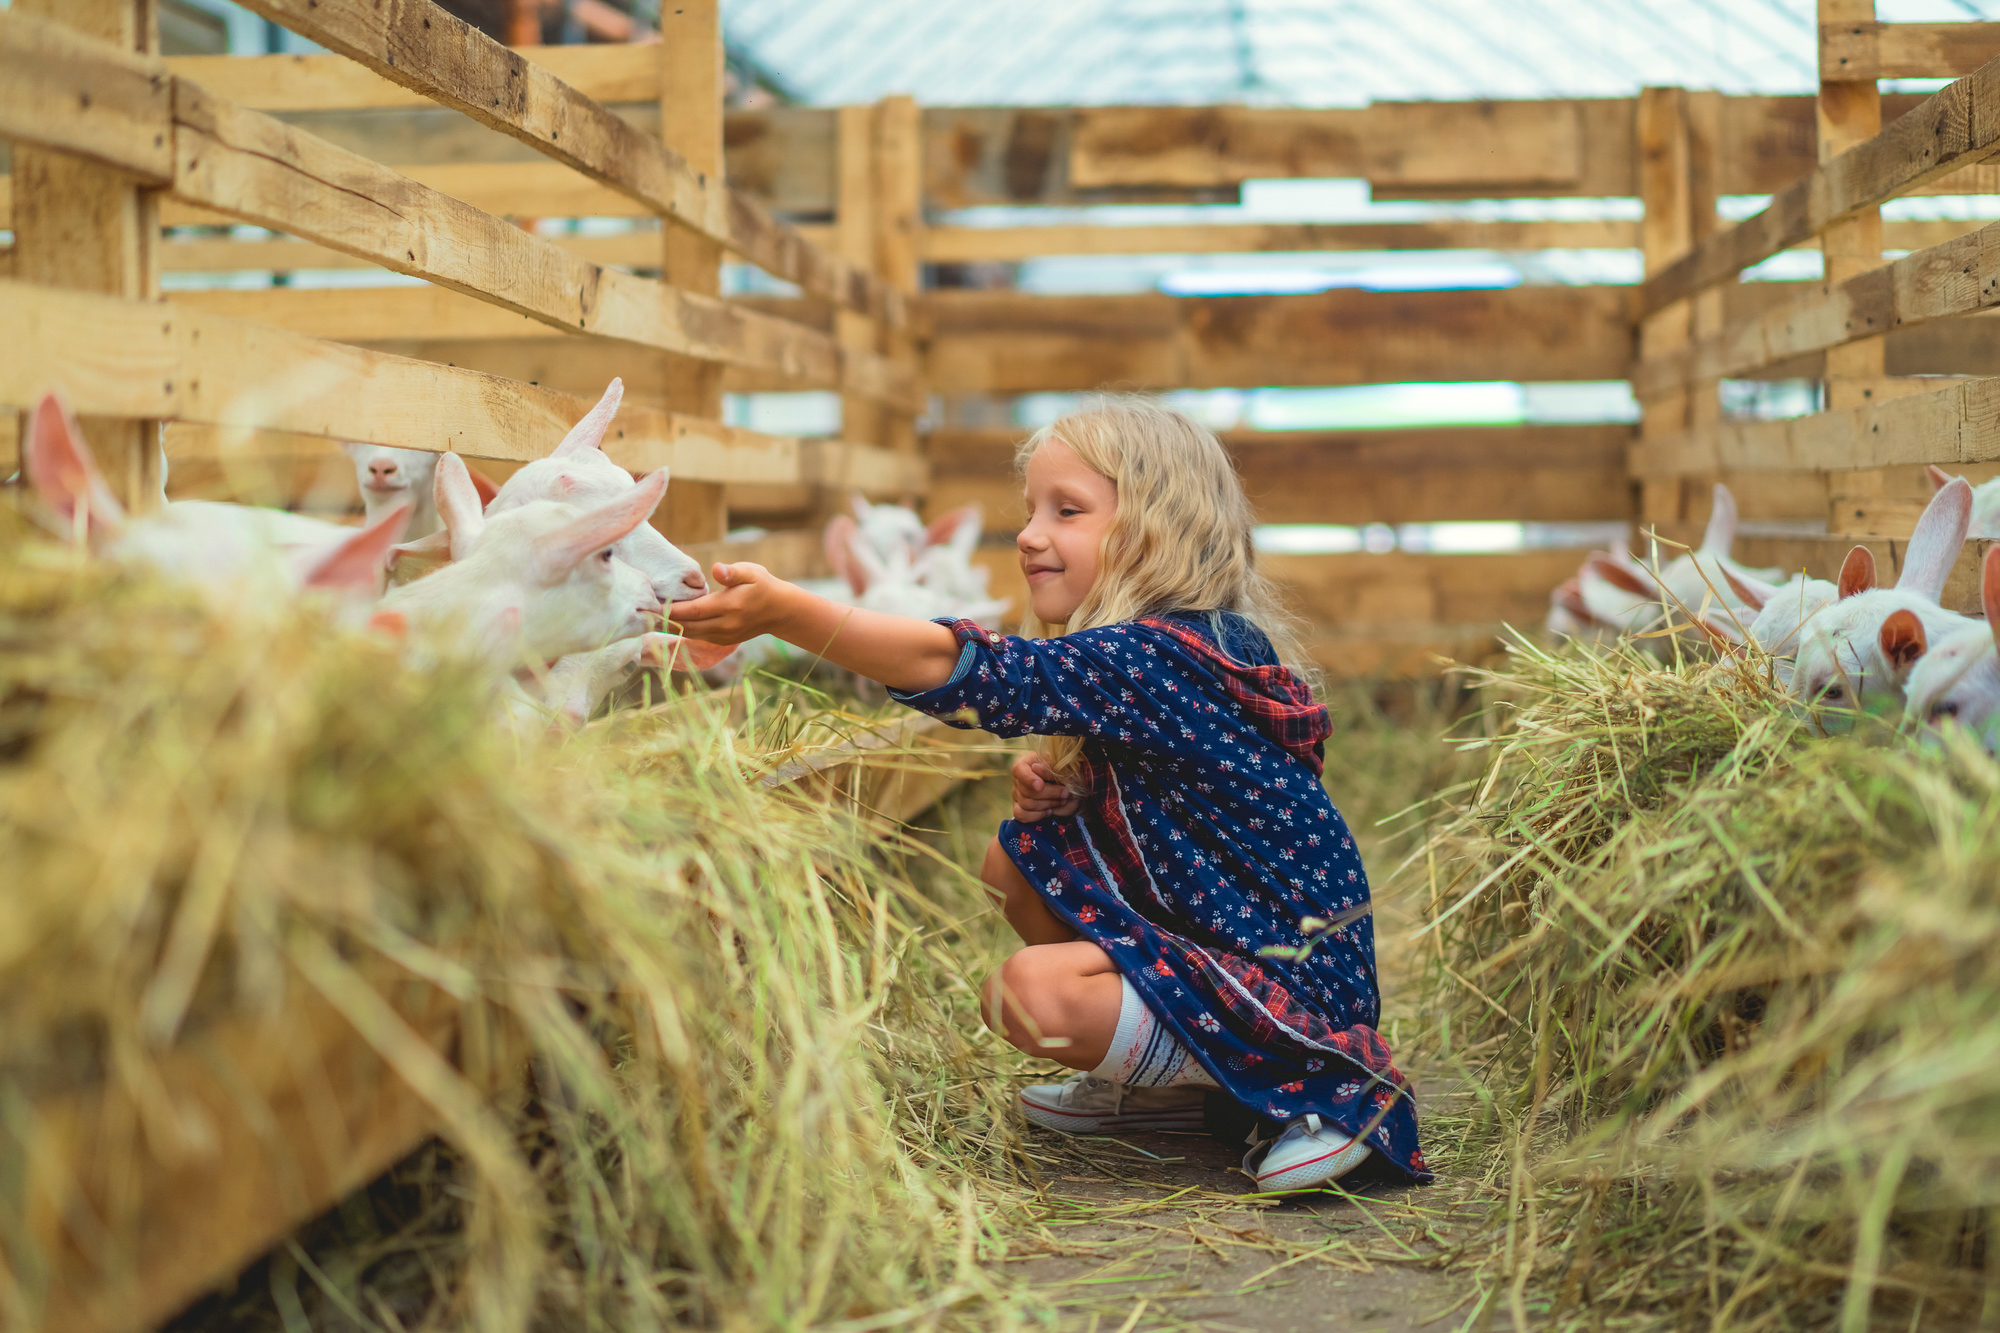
(559,569)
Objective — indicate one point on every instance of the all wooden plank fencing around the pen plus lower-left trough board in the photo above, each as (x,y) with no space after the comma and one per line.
(421,145)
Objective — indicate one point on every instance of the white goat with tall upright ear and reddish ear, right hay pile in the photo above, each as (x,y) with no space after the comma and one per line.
(1845,657)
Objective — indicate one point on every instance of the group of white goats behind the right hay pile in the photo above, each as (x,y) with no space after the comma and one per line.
(1849,645)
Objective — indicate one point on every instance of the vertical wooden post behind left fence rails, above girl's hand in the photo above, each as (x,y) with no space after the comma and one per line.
(691,125)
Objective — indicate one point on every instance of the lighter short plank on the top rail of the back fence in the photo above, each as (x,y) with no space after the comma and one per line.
(1409,145)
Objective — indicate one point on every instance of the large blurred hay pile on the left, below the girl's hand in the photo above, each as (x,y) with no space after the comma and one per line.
(695,1052)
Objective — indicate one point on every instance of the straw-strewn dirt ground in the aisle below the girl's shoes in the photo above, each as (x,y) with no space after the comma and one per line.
(1165,1232)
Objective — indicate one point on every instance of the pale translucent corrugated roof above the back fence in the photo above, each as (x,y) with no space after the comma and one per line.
(1333,53)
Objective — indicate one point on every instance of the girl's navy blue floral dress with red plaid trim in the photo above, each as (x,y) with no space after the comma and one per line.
(1205,860)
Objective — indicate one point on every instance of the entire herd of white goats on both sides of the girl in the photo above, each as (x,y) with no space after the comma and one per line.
(561,569)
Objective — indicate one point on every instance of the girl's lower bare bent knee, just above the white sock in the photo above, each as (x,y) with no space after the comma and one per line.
(1059,1002)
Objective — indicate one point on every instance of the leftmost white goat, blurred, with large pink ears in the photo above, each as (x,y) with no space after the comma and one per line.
(199,541)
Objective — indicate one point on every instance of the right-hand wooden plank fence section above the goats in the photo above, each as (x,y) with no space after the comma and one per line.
(1889,341)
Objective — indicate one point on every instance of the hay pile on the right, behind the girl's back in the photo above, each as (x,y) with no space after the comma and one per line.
(1731,1004)
